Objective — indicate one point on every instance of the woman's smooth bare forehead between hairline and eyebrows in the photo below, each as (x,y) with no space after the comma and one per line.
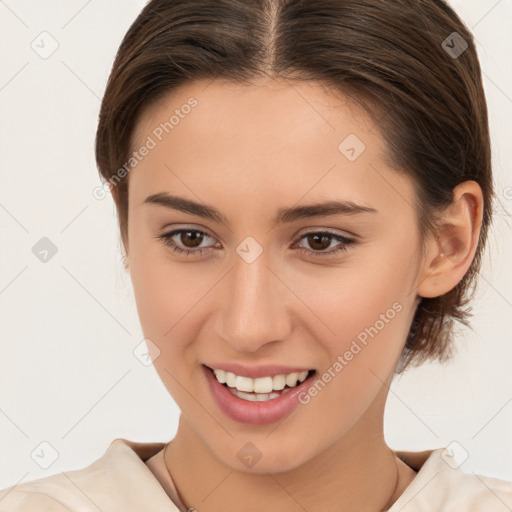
(272,139)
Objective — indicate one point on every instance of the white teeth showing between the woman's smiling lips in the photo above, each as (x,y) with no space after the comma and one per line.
(260,389)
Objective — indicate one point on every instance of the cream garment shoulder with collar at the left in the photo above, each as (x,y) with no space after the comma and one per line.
(117,481)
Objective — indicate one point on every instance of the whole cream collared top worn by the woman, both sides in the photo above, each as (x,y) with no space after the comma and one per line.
(127,478)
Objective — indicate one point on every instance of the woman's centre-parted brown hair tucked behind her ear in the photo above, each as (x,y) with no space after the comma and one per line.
(399,59)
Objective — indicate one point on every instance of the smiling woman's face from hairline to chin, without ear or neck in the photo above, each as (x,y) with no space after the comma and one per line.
(332,292)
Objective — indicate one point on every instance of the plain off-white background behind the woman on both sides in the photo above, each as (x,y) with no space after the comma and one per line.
(69,326)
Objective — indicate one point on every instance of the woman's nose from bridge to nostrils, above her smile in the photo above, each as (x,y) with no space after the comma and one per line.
(255,310)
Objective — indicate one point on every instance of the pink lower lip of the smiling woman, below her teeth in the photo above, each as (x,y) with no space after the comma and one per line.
(255,413)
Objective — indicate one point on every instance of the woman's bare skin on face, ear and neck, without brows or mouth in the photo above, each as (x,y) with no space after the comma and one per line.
(248,151)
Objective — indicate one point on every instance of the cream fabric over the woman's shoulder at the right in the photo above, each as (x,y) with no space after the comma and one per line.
(442,485)
